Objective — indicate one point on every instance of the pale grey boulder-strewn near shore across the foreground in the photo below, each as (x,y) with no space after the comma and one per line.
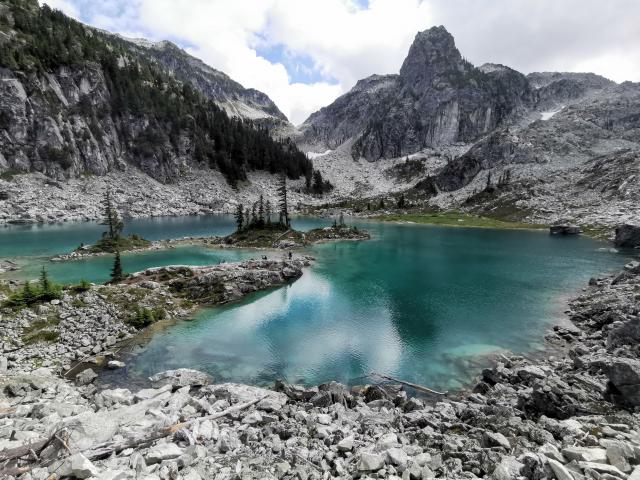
(569,417)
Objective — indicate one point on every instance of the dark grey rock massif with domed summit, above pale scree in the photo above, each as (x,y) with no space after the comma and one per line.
(437,99)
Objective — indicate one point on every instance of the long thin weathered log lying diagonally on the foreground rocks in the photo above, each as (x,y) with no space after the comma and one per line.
(104,450)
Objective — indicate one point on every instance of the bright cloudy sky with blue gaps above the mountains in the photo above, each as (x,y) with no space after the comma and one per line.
(305,53)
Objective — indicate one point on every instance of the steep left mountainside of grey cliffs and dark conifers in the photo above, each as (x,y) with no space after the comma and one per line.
(75,101)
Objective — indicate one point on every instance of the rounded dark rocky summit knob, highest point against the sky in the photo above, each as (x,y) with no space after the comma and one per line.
(432,57)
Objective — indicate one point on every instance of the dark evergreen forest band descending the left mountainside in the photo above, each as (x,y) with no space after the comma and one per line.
(140,88)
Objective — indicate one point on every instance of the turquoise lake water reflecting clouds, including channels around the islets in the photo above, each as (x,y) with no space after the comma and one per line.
(426,304)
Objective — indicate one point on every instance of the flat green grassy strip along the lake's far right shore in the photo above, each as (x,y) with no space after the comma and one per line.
(458,219)
